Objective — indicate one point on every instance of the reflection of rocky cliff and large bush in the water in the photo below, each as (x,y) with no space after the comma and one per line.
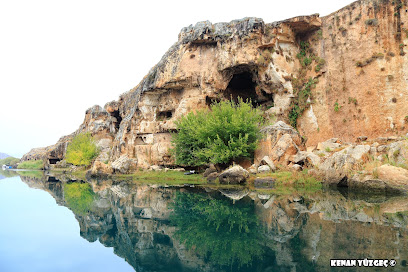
(188,229)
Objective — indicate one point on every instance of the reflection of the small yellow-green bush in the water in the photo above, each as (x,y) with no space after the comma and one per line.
(79,197)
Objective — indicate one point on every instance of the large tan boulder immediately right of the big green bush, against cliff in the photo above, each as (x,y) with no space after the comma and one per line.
(280,142)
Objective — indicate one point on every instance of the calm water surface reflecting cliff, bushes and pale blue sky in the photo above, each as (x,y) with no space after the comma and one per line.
(52,225)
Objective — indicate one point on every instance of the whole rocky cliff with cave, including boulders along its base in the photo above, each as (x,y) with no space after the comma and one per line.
(346,101)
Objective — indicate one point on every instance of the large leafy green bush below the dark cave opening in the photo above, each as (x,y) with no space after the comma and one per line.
(223,134)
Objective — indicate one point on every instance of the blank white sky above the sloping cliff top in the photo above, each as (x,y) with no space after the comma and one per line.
(58,58)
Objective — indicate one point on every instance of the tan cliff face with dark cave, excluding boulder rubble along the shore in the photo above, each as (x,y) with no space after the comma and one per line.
(360,88)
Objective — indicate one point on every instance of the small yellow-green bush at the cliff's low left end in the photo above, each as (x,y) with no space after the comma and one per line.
(82,150)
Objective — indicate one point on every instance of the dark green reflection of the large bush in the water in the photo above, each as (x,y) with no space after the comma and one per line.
(227,234)
